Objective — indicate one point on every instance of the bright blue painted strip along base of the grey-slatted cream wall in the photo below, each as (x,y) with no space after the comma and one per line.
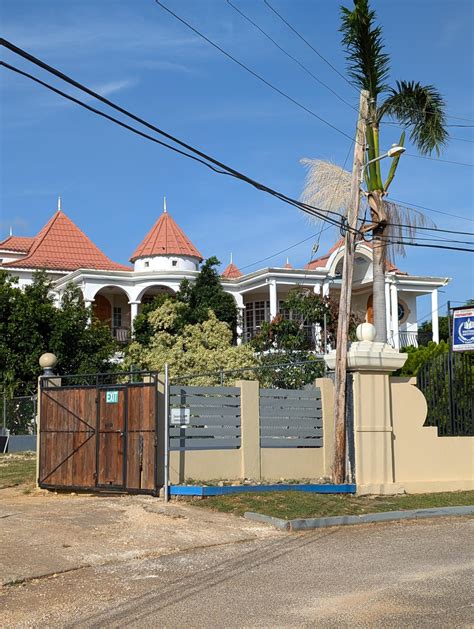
(204,490)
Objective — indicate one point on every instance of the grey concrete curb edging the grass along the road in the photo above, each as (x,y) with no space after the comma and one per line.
(345,520)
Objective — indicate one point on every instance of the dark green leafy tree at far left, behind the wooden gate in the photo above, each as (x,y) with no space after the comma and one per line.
(31,324)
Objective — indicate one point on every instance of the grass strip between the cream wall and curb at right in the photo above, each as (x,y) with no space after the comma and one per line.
(297,504)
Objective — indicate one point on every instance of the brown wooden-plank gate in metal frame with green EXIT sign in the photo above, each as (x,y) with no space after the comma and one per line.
(99,433)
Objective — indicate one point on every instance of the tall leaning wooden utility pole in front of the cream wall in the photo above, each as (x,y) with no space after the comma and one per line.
(339,470)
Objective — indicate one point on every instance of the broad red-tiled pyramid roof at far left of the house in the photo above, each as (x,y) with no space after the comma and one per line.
(62,246)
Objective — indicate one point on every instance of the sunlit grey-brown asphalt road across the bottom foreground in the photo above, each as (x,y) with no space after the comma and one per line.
(384,575)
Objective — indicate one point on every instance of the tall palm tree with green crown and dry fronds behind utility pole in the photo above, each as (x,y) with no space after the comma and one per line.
(419,109)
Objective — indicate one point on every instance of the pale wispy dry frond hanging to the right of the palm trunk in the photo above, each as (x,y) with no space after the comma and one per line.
(401,215)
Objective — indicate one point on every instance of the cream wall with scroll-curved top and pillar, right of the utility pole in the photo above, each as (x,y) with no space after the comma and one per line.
(395,452)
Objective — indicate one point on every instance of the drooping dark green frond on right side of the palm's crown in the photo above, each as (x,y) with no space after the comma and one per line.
(421,108)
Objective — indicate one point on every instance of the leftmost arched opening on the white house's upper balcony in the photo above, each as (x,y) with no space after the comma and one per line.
(111,306)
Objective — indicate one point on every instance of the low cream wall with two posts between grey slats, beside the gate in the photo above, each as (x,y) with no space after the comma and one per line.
(250,460)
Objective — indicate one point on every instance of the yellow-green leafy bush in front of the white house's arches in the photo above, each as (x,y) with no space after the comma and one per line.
(188,348)
